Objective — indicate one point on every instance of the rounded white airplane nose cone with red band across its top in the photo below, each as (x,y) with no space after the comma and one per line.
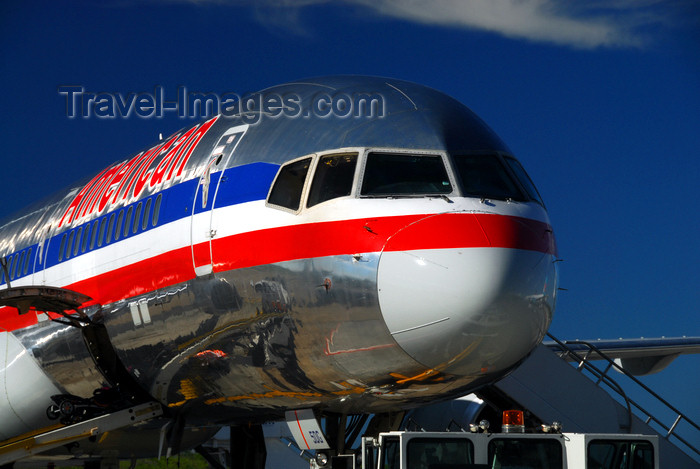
(472,298)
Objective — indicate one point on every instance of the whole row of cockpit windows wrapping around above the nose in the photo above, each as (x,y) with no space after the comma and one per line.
(385,173)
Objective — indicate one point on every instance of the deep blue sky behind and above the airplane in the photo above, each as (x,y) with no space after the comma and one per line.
(599,100)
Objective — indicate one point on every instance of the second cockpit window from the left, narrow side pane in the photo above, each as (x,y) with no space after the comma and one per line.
(333,178)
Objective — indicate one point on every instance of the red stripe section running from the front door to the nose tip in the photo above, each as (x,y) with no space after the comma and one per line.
(458,230)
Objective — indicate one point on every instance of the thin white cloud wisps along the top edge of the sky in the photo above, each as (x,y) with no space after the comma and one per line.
(580,24)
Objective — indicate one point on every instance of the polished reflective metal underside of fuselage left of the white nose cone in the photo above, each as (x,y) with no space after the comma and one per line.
(269,337)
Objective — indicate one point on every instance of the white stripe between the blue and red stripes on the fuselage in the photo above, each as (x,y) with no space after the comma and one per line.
(255,216)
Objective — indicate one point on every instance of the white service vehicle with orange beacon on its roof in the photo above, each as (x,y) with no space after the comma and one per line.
(512,449)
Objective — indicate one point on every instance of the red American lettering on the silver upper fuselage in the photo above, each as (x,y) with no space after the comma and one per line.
(125,182)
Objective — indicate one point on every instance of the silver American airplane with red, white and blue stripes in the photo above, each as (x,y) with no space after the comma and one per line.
(347,245)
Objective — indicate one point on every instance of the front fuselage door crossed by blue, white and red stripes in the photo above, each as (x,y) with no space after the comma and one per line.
(203,214)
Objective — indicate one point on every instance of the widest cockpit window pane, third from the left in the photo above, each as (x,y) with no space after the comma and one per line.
(388,174)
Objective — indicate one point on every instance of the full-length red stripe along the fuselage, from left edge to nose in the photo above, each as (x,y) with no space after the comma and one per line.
(311,240)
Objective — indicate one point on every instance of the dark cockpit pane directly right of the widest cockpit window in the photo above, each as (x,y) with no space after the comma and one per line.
(485,176)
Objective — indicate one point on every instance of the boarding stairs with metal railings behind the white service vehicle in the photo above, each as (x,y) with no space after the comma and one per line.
(587,399)
